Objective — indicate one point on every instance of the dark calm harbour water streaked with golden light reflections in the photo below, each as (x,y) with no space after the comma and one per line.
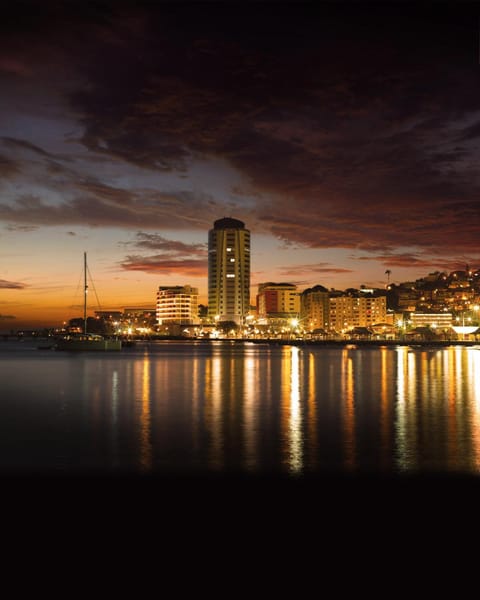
(223,407)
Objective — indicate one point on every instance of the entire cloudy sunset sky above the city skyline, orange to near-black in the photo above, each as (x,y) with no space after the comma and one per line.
(346,136)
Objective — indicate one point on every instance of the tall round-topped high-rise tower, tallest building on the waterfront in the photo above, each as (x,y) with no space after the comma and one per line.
(229,271)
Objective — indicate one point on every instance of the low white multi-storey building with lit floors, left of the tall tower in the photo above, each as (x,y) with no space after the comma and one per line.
(177,304)
